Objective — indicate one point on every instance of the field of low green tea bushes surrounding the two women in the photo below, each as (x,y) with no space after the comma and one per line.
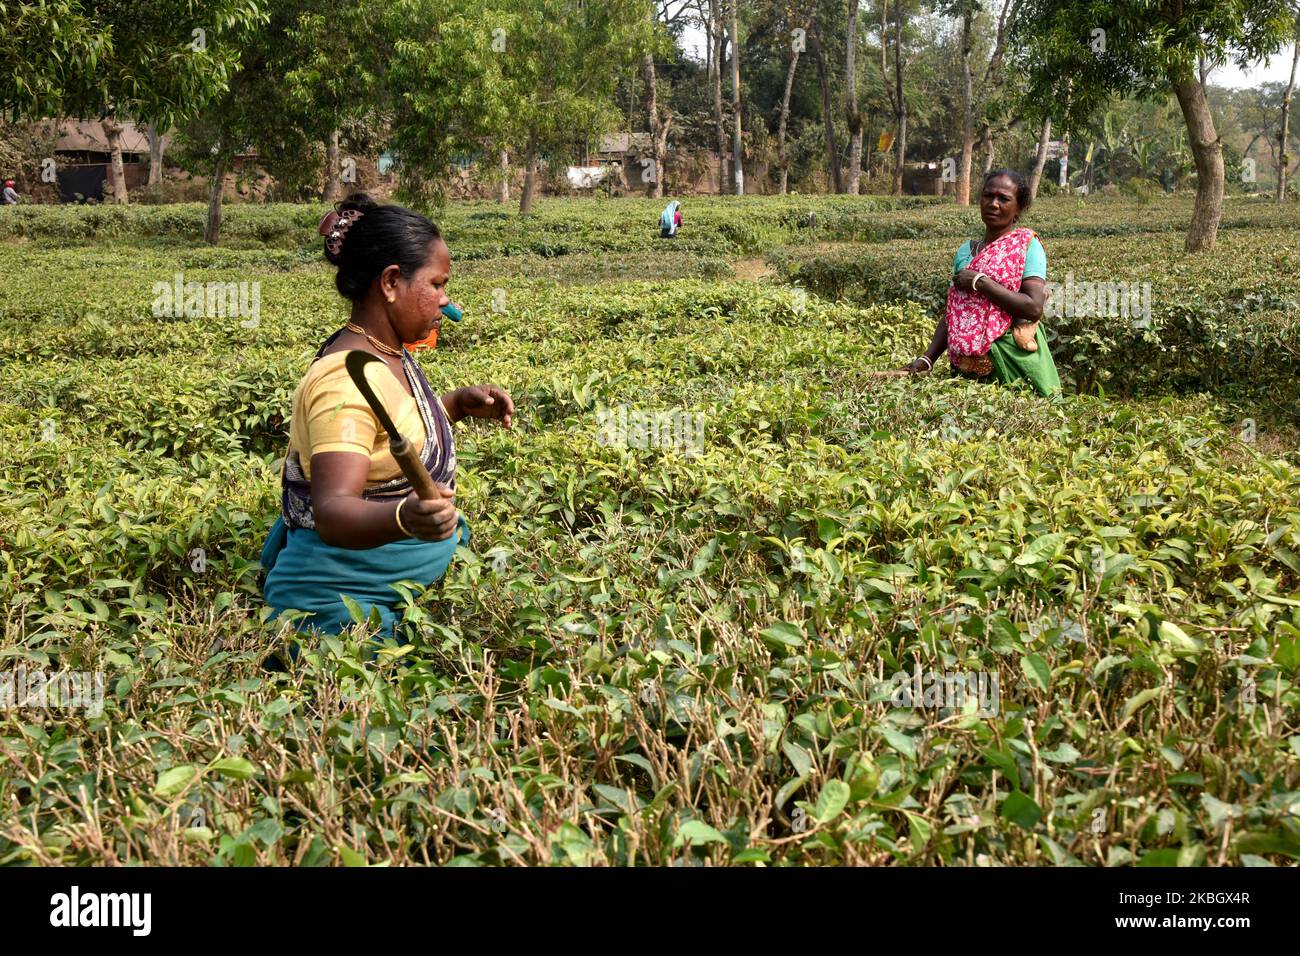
(649,656)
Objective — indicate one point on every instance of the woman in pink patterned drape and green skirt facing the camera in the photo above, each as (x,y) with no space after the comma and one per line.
(991,326)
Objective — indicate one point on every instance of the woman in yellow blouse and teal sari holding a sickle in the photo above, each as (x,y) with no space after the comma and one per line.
(350,524)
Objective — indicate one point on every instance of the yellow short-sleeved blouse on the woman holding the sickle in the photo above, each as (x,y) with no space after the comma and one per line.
(339,418)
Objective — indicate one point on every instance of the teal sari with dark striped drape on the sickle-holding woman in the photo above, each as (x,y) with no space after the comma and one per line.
(305,574)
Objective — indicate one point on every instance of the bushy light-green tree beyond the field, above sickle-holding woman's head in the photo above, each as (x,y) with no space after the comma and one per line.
(543,75)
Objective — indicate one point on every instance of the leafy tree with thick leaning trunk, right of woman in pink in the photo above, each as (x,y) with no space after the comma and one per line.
(1150,47)
